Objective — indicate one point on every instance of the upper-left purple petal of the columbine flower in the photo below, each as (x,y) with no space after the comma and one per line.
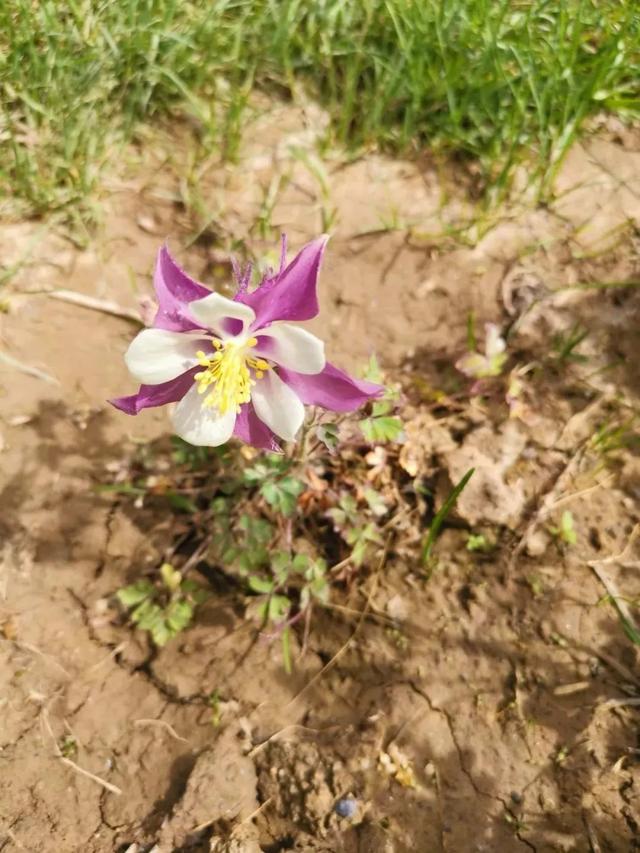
(175,290)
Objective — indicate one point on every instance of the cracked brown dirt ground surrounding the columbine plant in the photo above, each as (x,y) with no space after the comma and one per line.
(492,707)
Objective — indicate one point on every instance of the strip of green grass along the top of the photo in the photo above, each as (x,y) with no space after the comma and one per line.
(489,81)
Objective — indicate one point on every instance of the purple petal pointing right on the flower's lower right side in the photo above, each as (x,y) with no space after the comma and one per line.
(331,389)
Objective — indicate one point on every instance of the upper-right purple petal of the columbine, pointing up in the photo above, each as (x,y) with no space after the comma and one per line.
(291,294)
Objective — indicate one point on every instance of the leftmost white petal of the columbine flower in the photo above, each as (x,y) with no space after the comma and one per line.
(157,355)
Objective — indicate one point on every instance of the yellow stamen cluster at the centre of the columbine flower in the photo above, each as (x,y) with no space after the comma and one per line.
(227,373)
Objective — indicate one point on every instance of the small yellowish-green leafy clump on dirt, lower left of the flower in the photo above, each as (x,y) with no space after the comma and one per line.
(163,609)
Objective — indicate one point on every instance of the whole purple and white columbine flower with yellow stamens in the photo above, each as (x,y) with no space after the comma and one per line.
(238,366)
